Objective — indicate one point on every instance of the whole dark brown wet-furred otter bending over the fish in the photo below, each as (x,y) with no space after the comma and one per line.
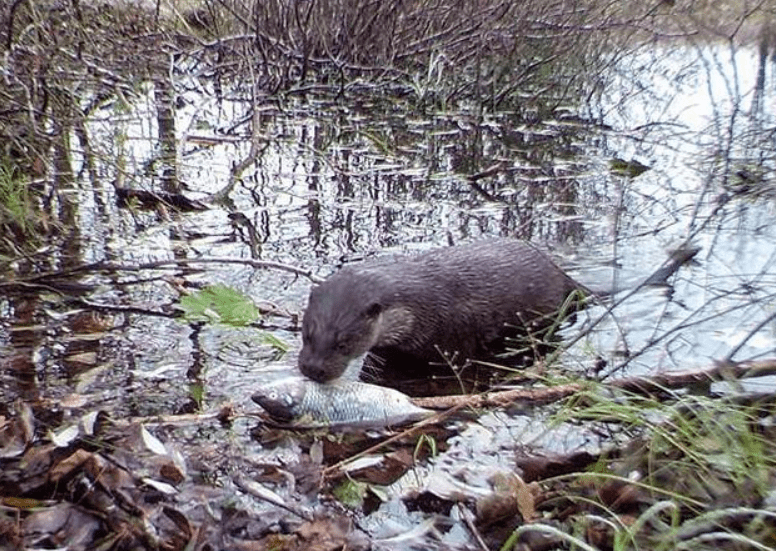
(460,301)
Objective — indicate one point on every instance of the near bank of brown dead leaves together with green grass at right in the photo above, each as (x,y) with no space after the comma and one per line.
(676,481)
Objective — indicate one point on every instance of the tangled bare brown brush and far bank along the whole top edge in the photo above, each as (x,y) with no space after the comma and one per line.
(63,60)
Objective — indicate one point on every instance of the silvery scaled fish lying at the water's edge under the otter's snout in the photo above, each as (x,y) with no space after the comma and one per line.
(303,403)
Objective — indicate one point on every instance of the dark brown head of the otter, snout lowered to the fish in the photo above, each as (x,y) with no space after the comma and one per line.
(341,323)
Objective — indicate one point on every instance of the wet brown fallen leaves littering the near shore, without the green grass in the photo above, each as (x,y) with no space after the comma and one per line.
(108,483)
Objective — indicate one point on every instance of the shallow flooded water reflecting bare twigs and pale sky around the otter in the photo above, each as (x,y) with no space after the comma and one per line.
(335,181)
